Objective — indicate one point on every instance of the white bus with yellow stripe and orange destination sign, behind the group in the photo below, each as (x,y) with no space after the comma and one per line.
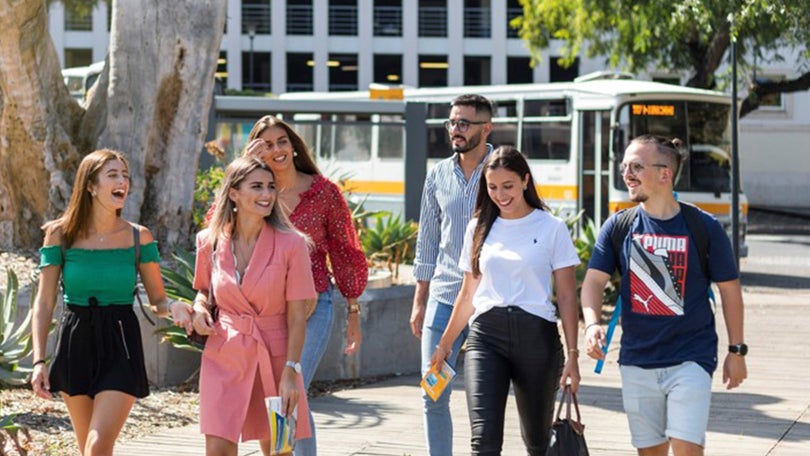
(573,134)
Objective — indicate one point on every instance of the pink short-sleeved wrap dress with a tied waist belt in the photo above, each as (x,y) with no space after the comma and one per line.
(242,363)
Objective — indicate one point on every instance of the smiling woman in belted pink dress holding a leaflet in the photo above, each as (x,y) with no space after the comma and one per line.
(257,267)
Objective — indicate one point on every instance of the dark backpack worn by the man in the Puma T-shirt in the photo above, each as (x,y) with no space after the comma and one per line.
(694,223)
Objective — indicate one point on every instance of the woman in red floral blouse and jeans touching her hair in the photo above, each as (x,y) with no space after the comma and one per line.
(315,206)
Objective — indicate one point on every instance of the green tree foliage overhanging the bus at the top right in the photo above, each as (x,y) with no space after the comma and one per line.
(689,34)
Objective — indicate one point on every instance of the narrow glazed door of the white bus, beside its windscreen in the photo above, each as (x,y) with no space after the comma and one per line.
(594,142)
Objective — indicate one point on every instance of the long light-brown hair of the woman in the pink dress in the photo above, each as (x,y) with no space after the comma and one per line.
(223,219)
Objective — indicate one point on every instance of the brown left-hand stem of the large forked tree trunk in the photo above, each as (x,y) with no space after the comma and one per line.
(37,116)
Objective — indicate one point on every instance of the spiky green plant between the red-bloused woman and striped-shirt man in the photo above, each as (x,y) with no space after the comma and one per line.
(390,242)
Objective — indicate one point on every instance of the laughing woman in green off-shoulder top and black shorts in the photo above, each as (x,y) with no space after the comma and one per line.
(98,367)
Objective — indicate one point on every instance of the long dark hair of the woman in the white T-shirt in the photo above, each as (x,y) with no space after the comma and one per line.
(509,158)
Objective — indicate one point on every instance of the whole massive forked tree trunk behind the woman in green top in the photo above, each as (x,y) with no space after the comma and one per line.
(151,102)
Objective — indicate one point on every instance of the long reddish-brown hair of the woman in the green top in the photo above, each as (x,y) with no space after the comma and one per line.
(73,223)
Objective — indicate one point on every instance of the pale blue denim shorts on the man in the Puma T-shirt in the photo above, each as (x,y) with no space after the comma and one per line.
(667,403)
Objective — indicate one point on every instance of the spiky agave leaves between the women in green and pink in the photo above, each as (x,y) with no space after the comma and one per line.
(179,285)
